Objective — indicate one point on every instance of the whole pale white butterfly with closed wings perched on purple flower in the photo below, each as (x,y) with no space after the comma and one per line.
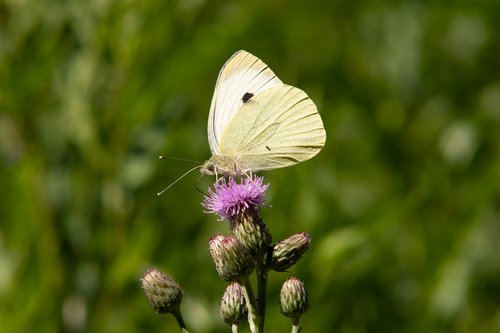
(258,123)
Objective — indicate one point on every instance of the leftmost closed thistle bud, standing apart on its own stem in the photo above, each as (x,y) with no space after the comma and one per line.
(162,291)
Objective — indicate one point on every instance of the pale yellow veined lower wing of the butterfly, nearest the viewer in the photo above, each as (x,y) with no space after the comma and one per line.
(277,128)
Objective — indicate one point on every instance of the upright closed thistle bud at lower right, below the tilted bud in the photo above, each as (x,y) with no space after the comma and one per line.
(293,299)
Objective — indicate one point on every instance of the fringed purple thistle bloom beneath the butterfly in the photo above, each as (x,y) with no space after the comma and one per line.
(229,198)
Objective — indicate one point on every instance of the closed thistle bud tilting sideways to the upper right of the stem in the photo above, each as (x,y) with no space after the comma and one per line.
(287,252)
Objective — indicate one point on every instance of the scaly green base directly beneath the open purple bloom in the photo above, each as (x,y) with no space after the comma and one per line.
(249,229)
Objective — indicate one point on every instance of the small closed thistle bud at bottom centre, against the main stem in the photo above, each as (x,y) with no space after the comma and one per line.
(232,307)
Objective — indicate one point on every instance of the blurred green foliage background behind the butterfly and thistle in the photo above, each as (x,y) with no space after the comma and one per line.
(403,203)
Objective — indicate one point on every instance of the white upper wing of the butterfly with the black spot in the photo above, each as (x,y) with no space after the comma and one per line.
(241,77)
